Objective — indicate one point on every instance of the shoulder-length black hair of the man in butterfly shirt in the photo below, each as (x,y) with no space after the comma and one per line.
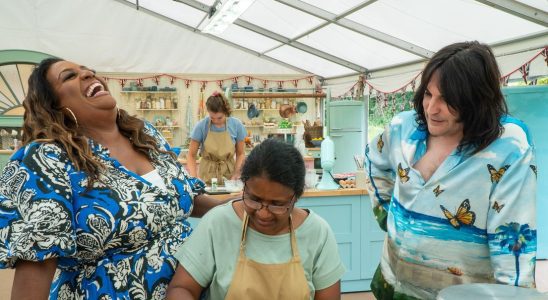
(469,80)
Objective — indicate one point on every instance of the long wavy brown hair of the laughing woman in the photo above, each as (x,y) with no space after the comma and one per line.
(44,121)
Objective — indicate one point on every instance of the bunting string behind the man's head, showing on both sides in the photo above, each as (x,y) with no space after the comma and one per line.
(355,89)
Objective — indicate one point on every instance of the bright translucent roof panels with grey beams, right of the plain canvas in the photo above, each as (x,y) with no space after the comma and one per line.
(334,38)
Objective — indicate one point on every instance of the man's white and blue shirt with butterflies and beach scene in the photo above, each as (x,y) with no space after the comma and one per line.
(472,221)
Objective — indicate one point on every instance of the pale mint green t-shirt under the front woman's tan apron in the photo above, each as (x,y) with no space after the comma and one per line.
(211,252)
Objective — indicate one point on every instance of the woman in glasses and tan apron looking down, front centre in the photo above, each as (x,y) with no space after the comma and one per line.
(262,246)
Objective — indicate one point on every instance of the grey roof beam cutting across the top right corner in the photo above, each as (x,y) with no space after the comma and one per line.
(520,10)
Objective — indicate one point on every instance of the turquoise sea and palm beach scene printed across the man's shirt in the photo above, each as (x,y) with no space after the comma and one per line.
(435,238)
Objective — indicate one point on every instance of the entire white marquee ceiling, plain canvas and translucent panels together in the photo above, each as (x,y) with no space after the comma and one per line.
(325,37)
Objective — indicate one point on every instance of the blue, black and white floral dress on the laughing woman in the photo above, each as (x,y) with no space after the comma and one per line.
(113,241)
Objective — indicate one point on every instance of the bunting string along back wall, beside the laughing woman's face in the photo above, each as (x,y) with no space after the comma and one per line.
(203,83)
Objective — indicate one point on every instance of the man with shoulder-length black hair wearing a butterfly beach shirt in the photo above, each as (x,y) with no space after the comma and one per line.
(453,183)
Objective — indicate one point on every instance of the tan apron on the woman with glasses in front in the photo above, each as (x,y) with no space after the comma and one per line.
(253,280)
